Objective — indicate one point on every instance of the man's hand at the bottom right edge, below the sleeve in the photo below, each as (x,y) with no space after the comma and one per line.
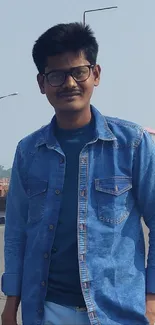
(150,308)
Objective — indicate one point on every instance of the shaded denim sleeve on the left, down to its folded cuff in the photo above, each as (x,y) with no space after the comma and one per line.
(15,236)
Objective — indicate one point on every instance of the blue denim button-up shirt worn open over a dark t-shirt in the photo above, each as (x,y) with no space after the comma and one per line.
(116,187)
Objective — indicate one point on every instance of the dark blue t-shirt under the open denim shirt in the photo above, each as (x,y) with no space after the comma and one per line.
(64,281)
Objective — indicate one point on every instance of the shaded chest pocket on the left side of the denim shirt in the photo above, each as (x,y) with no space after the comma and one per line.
(36,192)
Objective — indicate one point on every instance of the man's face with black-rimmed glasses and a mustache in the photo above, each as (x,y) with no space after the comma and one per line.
(62,81)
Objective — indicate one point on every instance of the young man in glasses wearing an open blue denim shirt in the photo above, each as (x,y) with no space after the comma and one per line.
(74,246)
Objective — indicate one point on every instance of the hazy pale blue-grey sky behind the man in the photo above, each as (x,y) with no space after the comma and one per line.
(126,39)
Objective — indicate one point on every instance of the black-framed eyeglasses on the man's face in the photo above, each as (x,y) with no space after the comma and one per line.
(57,78)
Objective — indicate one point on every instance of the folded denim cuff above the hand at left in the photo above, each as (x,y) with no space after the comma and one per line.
(11,284)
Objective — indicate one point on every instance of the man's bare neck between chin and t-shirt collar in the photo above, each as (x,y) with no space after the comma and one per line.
(73,120)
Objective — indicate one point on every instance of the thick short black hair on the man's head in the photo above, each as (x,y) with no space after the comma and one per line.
(62,38)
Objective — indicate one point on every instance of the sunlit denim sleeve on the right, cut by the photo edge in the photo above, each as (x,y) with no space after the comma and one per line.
(144,191)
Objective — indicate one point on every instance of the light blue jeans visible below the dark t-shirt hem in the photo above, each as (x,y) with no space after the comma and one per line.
(63,315)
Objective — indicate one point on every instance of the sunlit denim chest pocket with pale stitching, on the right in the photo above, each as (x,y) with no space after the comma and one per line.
(112,195)
